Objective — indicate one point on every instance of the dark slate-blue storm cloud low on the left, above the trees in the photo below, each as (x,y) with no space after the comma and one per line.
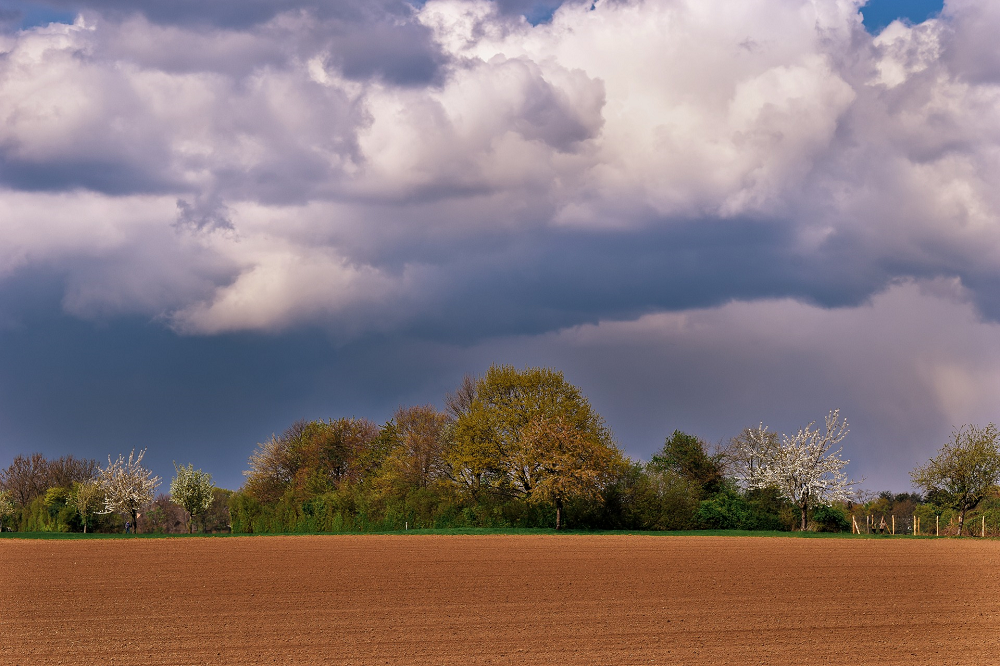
(69,386)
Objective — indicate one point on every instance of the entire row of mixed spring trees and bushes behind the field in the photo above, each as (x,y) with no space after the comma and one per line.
(512,448)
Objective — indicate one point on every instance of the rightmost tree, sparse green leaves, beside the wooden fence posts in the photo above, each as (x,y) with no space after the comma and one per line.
(964,471)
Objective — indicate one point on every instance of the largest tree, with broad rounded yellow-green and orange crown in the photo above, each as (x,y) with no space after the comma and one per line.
(526,433)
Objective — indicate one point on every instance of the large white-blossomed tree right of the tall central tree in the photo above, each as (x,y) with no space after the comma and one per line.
(803,468)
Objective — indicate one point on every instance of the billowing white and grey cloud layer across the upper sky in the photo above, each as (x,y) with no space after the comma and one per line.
(379,166)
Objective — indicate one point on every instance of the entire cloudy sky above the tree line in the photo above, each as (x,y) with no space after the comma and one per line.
(217,218)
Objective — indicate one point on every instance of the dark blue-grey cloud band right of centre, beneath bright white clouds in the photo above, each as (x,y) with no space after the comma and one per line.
(564,279)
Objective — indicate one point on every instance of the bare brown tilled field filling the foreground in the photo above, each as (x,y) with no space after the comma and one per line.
(499,599)
